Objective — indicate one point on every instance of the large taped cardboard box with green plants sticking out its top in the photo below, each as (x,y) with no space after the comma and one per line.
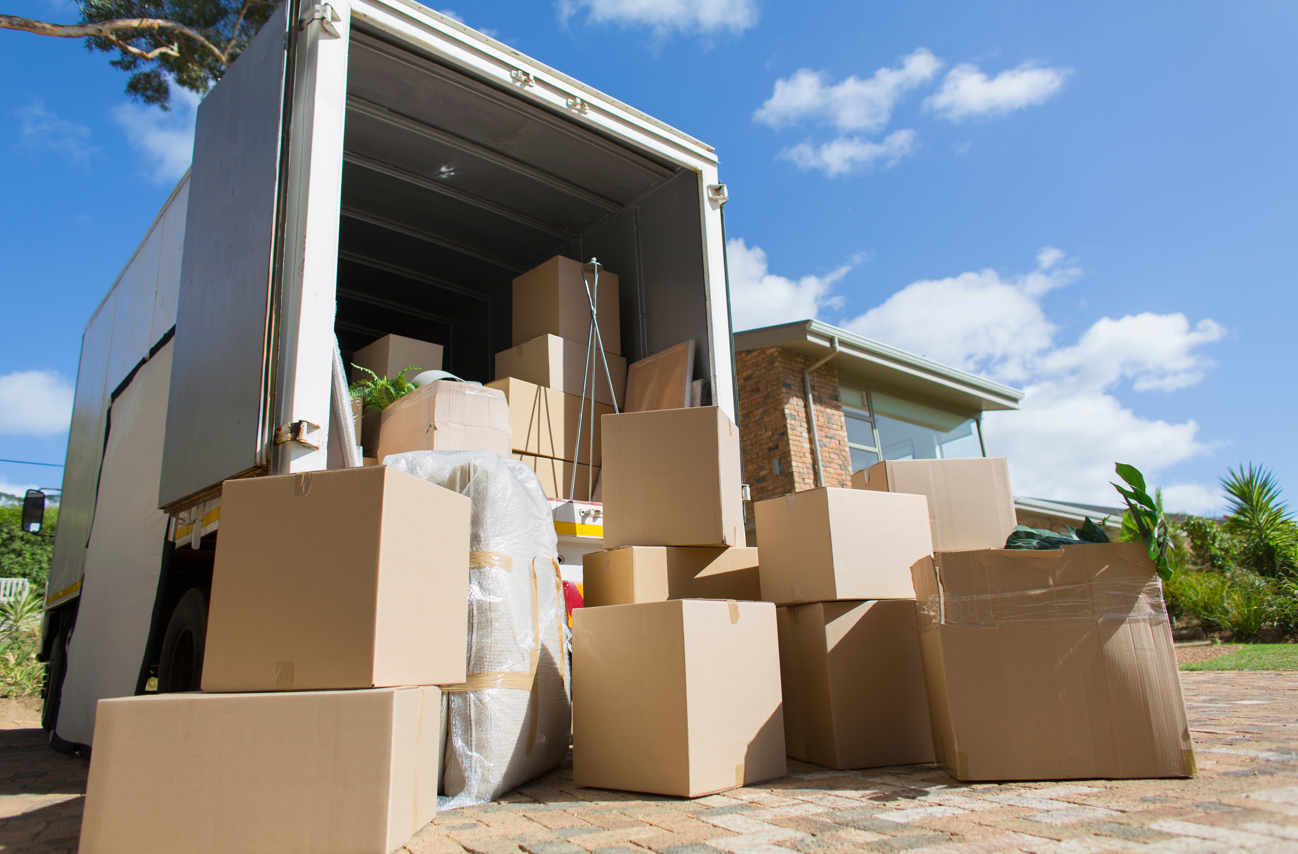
(1052,665)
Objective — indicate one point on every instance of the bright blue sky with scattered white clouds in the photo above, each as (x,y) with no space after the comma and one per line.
(1097,203)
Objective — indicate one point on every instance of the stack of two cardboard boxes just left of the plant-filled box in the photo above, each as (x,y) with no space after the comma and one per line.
(839,564)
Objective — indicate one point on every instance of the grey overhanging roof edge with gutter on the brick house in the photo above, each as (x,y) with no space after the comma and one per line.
(885,368)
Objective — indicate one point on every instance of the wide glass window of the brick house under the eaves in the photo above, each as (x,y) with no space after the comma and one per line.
(886,428)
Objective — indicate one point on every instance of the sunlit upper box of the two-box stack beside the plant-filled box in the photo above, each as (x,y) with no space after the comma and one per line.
(840,544)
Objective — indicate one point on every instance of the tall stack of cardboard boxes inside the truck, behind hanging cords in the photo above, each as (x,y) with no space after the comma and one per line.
(543,374)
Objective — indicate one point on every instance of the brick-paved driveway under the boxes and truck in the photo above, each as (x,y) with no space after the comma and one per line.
(1245,727)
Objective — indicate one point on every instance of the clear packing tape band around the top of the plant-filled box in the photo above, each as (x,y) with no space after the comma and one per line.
(1126,600)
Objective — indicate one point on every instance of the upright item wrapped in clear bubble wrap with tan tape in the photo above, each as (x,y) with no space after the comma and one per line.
(512,718)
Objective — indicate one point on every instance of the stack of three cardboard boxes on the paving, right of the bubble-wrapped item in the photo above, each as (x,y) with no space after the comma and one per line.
(674,694)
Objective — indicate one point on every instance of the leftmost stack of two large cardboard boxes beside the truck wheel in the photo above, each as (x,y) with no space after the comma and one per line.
(338,608)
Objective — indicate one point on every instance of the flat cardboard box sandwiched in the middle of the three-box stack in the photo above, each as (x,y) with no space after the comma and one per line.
(657,574)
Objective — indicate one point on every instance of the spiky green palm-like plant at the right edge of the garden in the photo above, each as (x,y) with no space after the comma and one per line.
(1266,530)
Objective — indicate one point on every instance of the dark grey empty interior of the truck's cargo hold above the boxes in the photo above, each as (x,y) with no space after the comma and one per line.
(452,188)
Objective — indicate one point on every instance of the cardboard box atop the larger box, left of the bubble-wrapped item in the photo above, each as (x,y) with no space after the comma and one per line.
(355,578)
